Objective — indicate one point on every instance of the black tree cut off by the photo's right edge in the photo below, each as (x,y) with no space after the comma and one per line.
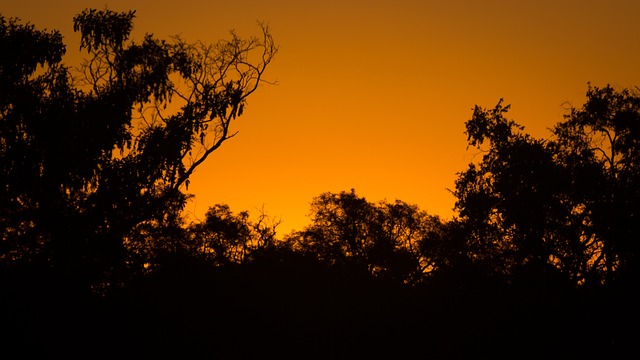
(599,145)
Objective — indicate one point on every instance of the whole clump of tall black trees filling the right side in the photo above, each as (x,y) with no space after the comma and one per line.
(565,205)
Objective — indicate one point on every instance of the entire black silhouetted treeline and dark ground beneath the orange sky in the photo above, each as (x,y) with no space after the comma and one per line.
(97,261)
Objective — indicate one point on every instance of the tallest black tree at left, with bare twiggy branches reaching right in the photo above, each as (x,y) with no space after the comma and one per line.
(90,159)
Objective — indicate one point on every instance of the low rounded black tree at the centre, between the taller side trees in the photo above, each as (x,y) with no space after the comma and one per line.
(383,240)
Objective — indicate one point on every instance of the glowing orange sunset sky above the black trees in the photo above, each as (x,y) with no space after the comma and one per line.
(373,95)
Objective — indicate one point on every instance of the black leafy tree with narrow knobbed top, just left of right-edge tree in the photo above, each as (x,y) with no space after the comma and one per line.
(508,200)
